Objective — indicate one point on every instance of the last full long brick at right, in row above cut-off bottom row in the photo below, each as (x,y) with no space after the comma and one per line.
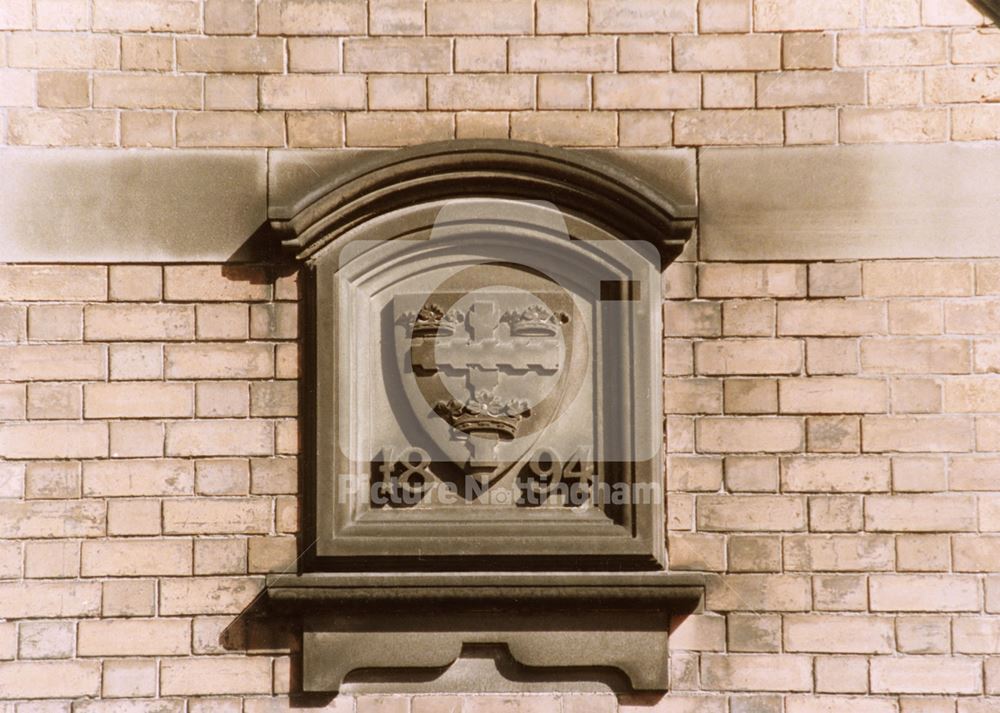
(938,674)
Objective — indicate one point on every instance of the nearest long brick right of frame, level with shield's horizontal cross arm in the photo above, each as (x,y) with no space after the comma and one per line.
(748,356)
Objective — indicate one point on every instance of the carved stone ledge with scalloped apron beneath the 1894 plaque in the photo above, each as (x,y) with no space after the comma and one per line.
(372,623)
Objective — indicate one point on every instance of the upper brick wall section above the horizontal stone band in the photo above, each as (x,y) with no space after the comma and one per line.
(302,73)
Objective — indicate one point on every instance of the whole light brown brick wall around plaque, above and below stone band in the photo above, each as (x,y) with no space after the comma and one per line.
(833,437)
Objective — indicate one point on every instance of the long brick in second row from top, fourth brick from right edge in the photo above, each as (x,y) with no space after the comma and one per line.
(727,52)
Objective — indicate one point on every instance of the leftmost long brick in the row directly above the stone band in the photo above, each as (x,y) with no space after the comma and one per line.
(26,127)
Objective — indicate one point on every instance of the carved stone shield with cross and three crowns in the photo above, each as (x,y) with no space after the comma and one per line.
(486,370)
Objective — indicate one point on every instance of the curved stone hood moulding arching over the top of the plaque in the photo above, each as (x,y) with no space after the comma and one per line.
(606,195)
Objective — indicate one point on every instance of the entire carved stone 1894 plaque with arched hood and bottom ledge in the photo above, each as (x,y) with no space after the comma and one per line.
(563,591)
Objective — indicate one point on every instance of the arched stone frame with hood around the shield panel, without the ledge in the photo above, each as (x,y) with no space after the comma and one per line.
(401,195)
